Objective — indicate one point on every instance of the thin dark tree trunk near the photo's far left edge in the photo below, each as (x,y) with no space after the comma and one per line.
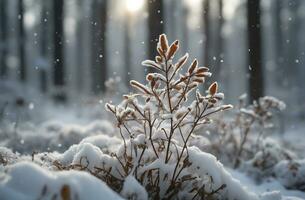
(22,64)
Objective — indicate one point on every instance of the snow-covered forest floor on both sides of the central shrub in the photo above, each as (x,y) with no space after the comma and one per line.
(56,148)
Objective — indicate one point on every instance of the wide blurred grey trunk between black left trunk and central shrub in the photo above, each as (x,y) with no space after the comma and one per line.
(99,60)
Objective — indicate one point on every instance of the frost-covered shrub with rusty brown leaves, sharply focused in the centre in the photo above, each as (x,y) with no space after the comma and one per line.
(156,124)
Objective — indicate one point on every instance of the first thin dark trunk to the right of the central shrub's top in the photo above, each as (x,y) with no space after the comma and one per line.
(206,30)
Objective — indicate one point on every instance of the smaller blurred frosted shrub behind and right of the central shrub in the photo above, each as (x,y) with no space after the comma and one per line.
(243,133)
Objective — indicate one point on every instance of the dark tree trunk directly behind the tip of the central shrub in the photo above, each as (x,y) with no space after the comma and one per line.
(155,26)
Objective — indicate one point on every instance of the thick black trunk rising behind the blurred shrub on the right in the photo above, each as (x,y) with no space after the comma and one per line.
(256,82)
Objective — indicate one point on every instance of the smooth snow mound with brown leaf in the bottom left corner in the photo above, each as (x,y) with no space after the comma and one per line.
(28,181)
